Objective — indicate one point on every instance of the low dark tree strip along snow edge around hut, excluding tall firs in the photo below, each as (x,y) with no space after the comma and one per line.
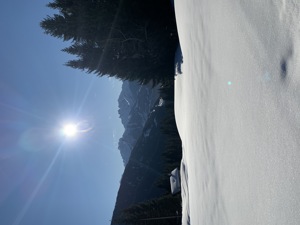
(166,209)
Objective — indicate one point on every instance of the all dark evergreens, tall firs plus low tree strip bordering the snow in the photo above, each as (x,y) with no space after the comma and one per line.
(128,40)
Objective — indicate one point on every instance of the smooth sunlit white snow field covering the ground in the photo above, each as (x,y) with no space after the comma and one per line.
(238,111)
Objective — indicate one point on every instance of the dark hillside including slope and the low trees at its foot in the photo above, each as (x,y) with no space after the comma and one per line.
(145,185)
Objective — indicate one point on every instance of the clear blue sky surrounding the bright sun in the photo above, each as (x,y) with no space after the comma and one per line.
(45,178)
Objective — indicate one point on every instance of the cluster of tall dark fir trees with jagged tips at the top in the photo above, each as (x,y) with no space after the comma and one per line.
(126,39)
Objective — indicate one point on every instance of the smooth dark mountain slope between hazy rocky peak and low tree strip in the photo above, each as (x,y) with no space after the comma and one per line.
(145,165)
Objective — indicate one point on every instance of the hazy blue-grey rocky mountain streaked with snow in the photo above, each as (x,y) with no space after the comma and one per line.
(135,103)
